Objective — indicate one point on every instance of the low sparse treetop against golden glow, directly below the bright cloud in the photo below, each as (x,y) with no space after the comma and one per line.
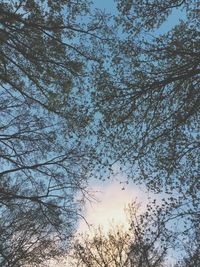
(101,250)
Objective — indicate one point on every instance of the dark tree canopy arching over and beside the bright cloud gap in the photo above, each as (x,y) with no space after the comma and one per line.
(80,92)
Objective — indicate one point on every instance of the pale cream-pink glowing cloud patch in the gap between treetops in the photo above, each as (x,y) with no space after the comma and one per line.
(112,198)
